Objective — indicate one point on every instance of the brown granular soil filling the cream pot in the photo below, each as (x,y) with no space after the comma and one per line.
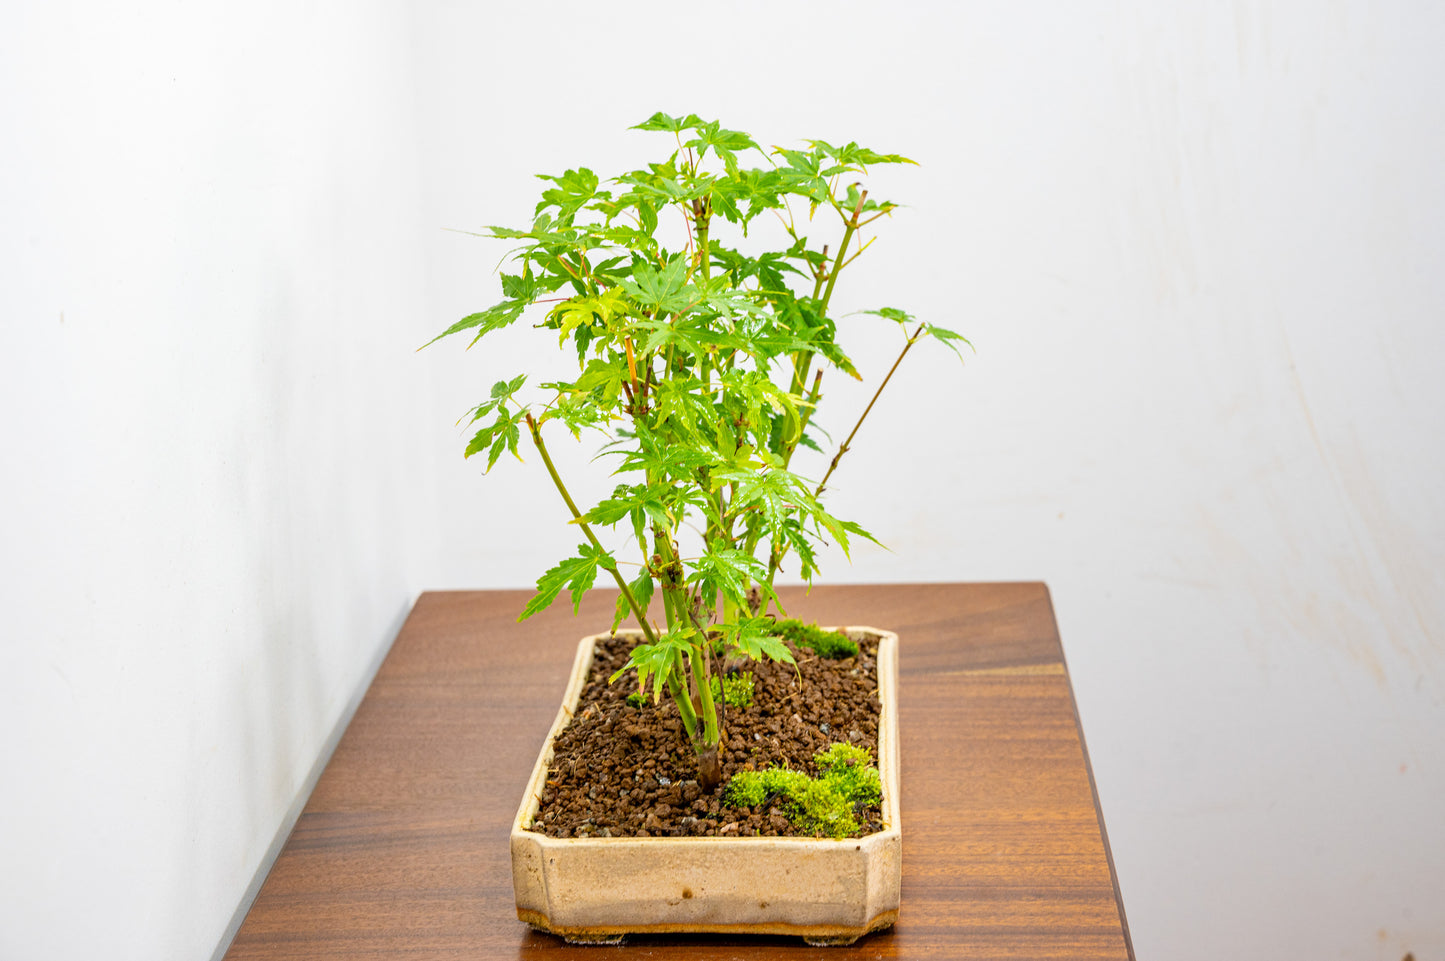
(621,771)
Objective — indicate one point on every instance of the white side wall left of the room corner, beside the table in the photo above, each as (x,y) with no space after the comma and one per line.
(210,518)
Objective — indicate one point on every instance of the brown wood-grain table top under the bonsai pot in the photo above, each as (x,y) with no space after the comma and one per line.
(402,850)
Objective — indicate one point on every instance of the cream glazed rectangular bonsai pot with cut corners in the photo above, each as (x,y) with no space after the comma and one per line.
(826,891)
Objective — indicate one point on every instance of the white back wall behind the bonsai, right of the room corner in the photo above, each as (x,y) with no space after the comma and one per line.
(1199,249)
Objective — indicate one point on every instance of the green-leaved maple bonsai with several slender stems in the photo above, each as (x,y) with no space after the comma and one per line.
(702,366)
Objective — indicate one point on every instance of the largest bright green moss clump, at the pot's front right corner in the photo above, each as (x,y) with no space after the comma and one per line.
(824,806)
